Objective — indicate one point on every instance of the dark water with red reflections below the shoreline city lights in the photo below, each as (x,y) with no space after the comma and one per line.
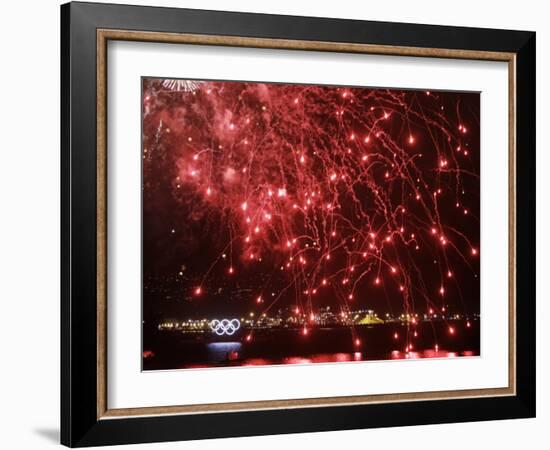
(176,350)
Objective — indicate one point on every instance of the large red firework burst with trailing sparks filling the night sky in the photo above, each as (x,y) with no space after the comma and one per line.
(325,194)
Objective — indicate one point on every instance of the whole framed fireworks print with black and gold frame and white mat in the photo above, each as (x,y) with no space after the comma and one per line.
(276,224)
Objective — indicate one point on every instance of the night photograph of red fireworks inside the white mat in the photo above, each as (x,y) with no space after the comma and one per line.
(300,223)
